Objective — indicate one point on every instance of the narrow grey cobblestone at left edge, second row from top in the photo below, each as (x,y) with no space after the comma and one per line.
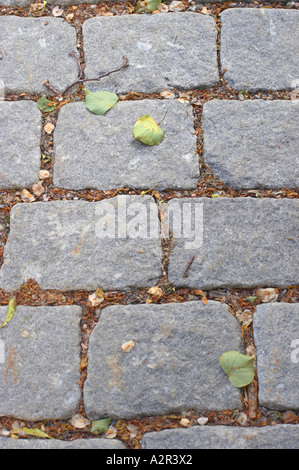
(19,144)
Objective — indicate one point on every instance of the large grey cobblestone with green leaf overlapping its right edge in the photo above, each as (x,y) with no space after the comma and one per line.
(173,366)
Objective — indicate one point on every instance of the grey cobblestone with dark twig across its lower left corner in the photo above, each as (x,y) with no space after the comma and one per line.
(164,51)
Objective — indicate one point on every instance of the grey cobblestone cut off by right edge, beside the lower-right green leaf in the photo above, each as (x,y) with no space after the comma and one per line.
(275,327)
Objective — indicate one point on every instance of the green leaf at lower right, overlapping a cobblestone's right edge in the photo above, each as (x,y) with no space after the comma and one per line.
(238,367)
